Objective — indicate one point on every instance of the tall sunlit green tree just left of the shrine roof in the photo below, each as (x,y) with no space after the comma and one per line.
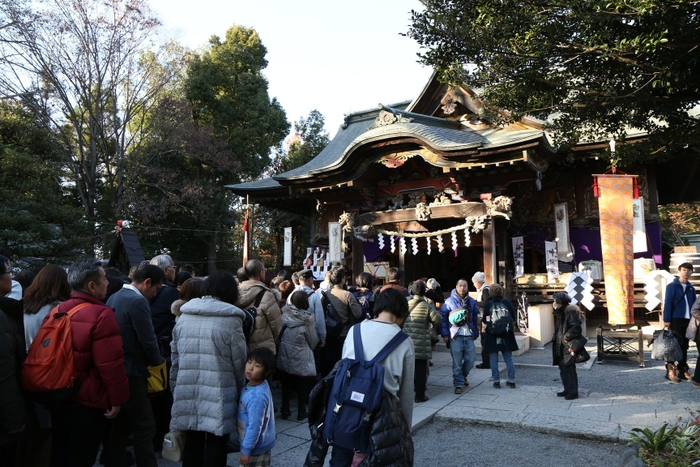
(227,90)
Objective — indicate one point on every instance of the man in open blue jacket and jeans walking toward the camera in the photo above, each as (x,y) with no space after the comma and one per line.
(459,330)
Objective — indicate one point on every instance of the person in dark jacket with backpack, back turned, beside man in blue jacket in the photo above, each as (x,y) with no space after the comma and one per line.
(504,344)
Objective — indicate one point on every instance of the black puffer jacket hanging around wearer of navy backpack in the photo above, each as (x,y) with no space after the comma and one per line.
(390,436)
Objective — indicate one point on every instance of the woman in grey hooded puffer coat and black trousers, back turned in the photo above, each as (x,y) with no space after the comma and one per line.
(295,357)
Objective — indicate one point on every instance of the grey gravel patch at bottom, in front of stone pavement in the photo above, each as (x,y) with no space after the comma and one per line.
(449,444)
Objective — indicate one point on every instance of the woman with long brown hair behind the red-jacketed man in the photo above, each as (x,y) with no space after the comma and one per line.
(49,288)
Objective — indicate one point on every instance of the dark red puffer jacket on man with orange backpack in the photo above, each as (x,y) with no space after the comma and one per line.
(98,351)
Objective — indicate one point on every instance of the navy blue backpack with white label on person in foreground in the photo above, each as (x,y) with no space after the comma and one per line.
(355,395)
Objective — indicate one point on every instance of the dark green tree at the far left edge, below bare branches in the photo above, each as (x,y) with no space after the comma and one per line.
(38,215)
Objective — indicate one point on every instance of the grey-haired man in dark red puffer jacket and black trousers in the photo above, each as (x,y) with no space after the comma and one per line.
(97,346)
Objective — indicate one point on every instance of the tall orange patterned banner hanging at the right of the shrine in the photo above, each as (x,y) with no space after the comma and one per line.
(617,240)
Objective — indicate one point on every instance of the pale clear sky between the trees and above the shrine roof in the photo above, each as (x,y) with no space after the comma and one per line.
(336,57)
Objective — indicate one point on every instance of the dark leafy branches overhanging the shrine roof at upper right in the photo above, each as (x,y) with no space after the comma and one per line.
(600,66)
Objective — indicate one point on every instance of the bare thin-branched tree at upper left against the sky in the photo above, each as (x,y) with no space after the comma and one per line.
(79,65)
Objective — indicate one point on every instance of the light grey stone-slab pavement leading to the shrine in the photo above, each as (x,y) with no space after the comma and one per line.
(614,398)
